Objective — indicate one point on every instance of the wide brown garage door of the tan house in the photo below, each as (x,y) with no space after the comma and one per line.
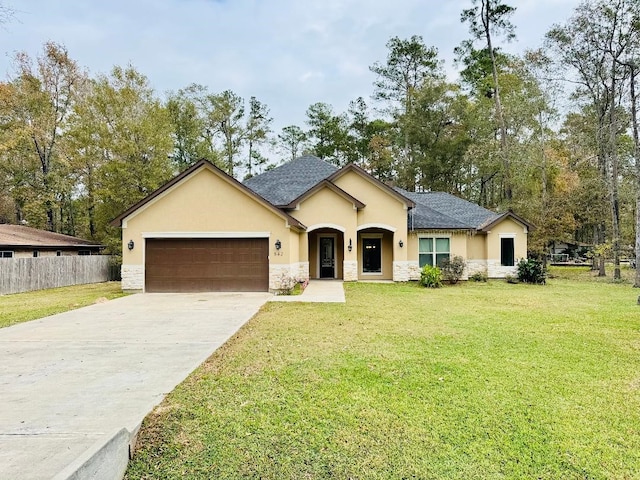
(207,265)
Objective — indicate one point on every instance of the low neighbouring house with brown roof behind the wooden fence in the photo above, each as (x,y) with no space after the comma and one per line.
(18,241)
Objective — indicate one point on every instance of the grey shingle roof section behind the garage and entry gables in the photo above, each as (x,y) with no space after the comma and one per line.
(287,182)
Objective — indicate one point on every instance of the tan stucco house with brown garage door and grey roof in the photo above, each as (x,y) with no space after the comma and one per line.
(205,231)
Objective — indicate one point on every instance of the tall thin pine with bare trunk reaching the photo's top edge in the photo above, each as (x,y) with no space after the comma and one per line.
(486,19)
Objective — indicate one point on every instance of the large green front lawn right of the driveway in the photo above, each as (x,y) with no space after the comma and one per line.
(473,381)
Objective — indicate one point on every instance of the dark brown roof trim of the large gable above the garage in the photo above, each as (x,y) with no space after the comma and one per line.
(166,188)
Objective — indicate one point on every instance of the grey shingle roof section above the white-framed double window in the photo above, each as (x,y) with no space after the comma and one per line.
(442,210)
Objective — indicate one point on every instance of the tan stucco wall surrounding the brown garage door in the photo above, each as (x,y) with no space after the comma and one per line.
(205,202)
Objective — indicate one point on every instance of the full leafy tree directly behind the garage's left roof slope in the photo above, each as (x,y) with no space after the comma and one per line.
(126,125)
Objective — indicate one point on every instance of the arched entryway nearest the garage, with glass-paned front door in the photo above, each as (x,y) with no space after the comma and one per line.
(326,253)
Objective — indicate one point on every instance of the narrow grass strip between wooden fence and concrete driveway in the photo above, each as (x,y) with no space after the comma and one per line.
(22,307)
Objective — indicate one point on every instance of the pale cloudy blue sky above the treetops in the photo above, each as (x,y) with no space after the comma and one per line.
(289,54)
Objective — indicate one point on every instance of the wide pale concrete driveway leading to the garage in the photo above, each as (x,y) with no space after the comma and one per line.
(69,381)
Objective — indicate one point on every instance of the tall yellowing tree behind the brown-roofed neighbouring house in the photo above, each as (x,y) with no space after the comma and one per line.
(43,94)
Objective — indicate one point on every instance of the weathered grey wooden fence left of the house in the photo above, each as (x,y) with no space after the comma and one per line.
(27,274)
